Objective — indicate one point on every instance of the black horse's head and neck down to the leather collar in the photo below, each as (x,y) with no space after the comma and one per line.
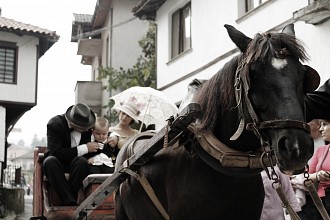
(261,99)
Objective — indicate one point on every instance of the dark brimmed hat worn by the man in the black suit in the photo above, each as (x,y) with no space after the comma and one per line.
(80,115)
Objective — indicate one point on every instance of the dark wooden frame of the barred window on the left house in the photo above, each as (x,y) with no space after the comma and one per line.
(8,46)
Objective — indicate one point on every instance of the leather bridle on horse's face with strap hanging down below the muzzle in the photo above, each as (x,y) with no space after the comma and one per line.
(257,126)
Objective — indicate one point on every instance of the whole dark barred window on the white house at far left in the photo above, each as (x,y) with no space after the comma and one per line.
(8,54)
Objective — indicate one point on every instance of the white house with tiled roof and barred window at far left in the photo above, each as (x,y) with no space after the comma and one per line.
(21,46)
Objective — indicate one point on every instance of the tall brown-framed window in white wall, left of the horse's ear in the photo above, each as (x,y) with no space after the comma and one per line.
(181,30)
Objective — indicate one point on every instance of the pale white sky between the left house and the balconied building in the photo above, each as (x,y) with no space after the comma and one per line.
(59,68)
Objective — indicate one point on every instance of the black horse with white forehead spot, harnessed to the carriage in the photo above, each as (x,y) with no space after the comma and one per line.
(262,89)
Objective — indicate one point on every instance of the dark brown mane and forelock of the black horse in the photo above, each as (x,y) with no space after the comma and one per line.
(217,94)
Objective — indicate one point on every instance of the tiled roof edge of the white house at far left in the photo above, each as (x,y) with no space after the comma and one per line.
(11,25)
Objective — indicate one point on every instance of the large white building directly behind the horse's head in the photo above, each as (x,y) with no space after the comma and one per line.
(193,43)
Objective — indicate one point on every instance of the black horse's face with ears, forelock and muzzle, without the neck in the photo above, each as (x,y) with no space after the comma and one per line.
(274,82)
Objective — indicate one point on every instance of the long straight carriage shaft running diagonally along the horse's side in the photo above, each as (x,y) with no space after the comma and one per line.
(144,154)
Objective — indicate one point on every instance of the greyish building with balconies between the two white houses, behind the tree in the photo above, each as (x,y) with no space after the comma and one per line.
(108,38)
